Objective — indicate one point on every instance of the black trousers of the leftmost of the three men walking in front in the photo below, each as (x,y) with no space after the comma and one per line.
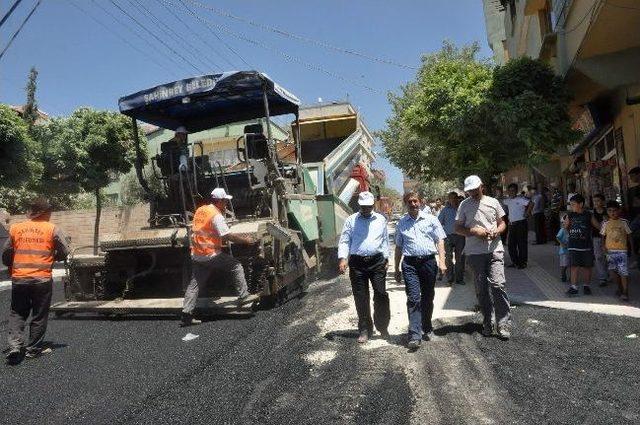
(363,270)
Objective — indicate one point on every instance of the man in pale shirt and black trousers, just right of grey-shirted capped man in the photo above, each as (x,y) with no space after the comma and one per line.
(519,209)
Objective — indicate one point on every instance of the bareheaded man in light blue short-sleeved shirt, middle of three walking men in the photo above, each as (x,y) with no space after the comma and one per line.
(419,236)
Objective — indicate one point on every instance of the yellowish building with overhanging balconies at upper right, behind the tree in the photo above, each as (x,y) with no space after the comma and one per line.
(595,46)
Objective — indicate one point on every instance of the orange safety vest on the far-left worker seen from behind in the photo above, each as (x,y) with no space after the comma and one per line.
(33,248)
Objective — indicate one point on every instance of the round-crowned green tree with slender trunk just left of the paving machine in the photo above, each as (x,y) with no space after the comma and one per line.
(92,147)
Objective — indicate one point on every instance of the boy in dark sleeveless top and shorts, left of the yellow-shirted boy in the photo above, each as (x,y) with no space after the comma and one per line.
(579,223)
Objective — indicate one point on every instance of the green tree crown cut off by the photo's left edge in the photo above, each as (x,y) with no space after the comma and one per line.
(20,167)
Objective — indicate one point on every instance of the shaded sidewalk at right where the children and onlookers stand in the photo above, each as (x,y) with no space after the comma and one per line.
(539,284)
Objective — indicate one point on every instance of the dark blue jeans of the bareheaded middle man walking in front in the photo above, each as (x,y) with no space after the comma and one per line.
(419,283)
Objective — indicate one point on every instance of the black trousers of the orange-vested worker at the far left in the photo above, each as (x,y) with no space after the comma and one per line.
(29,298)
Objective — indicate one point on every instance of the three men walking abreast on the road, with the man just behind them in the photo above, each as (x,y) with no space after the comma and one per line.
(424,245)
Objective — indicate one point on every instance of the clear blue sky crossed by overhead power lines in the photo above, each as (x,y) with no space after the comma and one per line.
(90,53)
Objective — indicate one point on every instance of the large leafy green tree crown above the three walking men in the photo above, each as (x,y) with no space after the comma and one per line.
(462,117)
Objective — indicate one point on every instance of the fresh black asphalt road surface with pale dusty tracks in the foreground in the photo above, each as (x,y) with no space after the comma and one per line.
(568,367)
